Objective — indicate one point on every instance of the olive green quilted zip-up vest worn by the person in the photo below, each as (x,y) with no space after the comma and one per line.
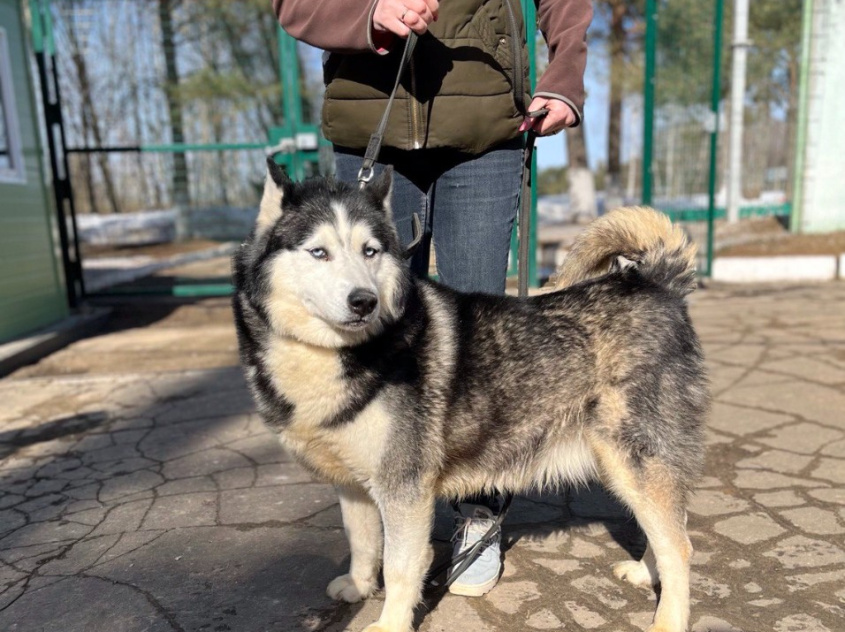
(457,93)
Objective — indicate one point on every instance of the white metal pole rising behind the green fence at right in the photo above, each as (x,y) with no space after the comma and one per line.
(740,52)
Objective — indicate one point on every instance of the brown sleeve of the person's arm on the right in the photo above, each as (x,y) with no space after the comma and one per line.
(564,26)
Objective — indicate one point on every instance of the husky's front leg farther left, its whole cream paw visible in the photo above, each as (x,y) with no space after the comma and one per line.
(362,523)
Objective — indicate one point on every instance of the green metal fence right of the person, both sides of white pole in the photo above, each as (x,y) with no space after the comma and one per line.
(685,97)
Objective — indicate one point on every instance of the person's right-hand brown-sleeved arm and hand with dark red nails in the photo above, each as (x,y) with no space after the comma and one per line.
(561,87)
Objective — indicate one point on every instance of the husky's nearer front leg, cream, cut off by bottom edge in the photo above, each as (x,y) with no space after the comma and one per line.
(407,556)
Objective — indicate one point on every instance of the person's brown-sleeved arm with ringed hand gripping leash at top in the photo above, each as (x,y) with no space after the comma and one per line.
(353,26)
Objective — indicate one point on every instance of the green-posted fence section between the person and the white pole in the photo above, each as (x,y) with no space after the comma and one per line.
(682,96)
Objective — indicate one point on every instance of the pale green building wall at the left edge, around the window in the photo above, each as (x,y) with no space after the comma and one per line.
(31,286)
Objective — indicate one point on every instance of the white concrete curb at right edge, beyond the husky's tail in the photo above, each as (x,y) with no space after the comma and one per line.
(782,268)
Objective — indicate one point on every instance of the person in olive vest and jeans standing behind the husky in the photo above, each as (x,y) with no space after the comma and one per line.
(454,138)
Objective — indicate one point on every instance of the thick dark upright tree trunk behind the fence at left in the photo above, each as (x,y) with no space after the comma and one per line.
(181,193)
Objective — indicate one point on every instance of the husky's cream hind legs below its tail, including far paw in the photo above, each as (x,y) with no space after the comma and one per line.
(651,491)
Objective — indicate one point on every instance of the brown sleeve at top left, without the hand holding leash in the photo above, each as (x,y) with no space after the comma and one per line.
(341,26)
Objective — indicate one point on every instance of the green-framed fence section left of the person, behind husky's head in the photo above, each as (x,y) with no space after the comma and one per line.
(158,118)
